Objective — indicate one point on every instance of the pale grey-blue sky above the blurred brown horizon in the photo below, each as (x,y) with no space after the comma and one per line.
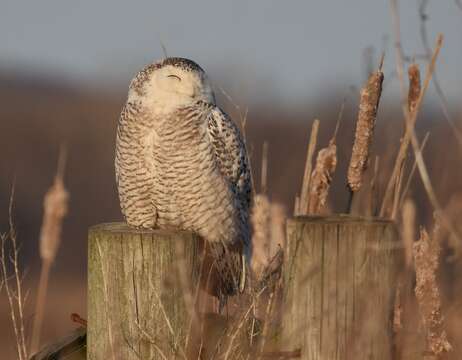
(257,49)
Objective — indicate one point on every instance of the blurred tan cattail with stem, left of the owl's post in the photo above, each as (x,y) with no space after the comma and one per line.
(55,208)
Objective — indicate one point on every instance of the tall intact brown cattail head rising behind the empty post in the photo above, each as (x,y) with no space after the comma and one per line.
(370,97)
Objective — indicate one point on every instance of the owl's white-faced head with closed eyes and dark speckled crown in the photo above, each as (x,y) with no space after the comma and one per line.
(170,84)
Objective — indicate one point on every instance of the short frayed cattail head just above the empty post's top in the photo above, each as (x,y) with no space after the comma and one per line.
(321,178)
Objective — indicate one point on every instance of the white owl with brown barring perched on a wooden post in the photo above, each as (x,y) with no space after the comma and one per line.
(181,163)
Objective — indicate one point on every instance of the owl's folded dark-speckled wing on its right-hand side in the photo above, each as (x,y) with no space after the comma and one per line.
(228,145)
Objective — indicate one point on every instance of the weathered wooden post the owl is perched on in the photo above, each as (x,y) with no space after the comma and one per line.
(137,285)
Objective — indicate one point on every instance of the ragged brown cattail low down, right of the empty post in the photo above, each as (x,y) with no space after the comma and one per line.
(426,258)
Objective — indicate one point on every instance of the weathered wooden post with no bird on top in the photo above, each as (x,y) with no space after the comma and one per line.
(340,278)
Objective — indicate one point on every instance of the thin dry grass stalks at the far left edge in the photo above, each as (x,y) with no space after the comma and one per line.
(14,292)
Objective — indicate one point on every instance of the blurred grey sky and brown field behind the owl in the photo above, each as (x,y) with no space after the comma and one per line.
(64,74)
